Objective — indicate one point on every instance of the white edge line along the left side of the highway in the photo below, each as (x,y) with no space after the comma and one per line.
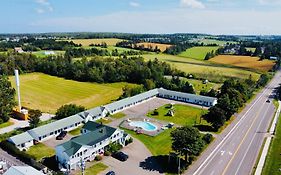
(242,118)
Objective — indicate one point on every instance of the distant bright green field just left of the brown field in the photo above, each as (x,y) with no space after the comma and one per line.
(198,52)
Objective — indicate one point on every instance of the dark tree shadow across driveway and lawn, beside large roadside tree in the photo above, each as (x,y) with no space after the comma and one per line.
(162,164)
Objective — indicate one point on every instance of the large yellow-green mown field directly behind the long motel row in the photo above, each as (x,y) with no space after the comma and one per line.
(48,93)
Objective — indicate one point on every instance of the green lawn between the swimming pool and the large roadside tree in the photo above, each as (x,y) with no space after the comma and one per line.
(158,145)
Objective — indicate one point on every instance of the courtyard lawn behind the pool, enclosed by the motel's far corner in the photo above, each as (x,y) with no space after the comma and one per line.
(184,115)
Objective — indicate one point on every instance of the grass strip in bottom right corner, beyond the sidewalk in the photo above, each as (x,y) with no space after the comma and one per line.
(273,159)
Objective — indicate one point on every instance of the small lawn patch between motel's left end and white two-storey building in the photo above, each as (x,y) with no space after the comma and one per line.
(40,151)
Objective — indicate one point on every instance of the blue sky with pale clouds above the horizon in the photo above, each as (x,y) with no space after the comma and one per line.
(254,17)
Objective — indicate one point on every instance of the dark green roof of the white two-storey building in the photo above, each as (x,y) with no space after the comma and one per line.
(98,133)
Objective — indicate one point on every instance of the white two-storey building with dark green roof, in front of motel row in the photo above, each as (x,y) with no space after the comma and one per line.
(94,140)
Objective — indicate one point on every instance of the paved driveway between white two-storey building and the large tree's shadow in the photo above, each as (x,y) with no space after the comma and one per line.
(138,153)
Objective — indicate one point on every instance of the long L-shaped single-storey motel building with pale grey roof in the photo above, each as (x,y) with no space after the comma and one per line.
(27,139)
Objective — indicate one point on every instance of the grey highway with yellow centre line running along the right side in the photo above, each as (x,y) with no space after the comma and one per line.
(235,151)
